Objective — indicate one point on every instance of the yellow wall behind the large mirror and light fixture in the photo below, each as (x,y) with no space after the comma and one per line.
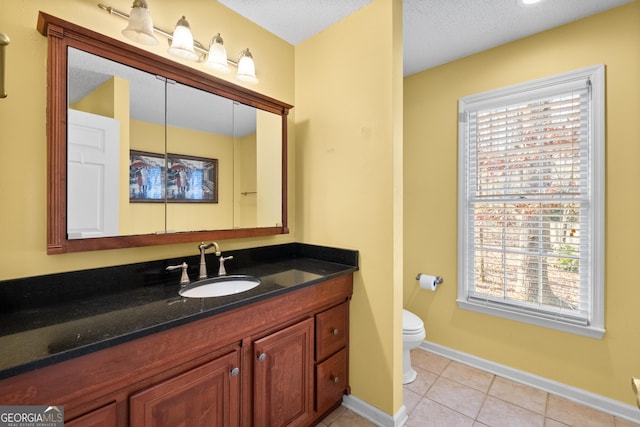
(23,123)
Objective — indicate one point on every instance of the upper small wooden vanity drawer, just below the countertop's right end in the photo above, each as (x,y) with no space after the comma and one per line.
(331,330)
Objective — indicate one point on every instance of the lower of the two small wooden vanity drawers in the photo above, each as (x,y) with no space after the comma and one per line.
(331,380)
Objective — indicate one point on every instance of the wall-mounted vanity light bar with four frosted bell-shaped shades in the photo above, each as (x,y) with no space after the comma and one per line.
(182,43)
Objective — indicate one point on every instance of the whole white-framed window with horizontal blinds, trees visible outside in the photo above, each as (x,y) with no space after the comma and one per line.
(531,202)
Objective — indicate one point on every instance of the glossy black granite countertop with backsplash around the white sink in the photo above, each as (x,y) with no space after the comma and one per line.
(49,319)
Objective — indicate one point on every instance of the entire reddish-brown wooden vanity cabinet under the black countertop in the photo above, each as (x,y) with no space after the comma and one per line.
(279,361)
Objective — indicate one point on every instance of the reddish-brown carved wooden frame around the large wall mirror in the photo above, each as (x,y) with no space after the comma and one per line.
(62,34)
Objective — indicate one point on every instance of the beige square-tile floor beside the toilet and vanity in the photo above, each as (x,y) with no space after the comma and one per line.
(448,394)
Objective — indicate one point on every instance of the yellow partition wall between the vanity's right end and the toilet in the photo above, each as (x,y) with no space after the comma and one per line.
(345,131)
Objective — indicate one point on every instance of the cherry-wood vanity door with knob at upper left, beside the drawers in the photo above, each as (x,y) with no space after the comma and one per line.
(283,377)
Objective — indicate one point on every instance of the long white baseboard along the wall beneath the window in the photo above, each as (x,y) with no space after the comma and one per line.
(601,403)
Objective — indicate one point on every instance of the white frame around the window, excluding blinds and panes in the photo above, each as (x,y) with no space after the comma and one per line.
(596,145)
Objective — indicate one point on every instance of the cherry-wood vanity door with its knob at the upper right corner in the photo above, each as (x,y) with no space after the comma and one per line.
(206,396)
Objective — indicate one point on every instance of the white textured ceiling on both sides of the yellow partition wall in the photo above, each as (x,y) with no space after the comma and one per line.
(434,31)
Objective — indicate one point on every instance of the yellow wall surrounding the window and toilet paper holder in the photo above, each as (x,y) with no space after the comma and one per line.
(601,366)
